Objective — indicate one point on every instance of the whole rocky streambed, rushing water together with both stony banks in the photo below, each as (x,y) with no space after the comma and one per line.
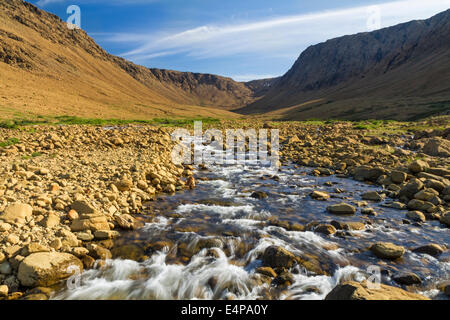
(109,204)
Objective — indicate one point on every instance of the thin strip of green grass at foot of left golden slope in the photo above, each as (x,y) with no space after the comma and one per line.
(72,120)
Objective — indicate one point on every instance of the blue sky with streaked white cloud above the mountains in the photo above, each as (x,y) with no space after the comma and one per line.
(241,39)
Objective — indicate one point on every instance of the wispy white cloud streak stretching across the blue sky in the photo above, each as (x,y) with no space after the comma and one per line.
(278,36)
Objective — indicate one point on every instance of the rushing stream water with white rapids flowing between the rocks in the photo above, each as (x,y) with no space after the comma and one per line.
(206,243)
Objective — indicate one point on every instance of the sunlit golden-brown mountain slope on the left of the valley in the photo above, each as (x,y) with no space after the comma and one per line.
(48,69)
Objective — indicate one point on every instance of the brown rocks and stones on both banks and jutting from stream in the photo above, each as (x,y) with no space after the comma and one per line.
(67,192)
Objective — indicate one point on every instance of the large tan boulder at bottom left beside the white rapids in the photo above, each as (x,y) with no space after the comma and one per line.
(47,268)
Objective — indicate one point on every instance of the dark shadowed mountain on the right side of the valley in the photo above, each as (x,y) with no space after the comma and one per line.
(400,72)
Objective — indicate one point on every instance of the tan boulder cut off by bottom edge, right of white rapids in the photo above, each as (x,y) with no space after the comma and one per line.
(360,291)
